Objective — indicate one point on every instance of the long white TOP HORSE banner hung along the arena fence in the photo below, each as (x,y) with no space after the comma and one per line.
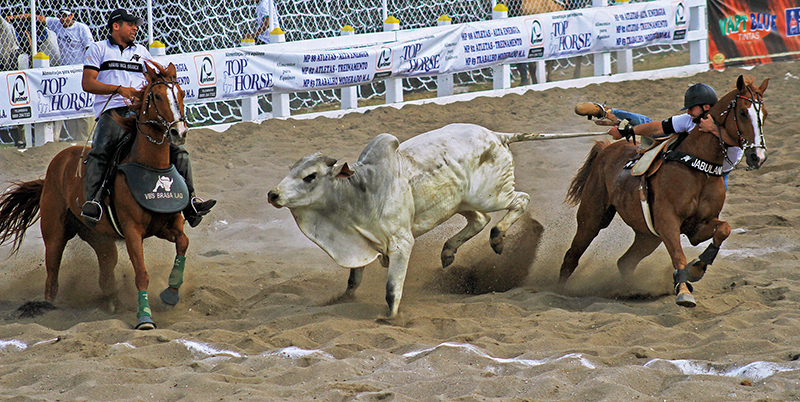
(55,93)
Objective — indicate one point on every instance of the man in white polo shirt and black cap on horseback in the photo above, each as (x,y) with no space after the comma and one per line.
(113,71)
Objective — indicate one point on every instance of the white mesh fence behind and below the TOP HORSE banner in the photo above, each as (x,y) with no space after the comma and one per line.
(196,25)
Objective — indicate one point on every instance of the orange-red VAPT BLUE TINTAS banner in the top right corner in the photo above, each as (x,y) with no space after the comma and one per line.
(748,32)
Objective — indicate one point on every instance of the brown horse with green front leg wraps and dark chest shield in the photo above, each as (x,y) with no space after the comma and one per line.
(58,198)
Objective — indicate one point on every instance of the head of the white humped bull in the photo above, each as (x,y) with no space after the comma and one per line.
(303,186)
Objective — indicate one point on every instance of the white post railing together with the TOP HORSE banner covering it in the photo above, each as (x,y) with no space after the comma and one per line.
(281,68)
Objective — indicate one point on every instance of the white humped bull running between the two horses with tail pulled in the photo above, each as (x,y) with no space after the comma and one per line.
(396,192)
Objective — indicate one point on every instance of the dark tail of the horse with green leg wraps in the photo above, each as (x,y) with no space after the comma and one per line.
(19,209)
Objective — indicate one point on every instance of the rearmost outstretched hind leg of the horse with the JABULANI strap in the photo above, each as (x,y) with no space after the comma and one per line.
(592,217)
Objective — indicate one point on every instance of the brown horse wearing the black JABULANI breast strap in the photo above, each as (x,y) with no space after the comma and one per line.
(684,200)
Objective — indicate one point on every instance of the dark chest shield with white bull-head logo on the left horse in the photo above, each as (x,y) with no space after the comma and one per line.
(157,190)
